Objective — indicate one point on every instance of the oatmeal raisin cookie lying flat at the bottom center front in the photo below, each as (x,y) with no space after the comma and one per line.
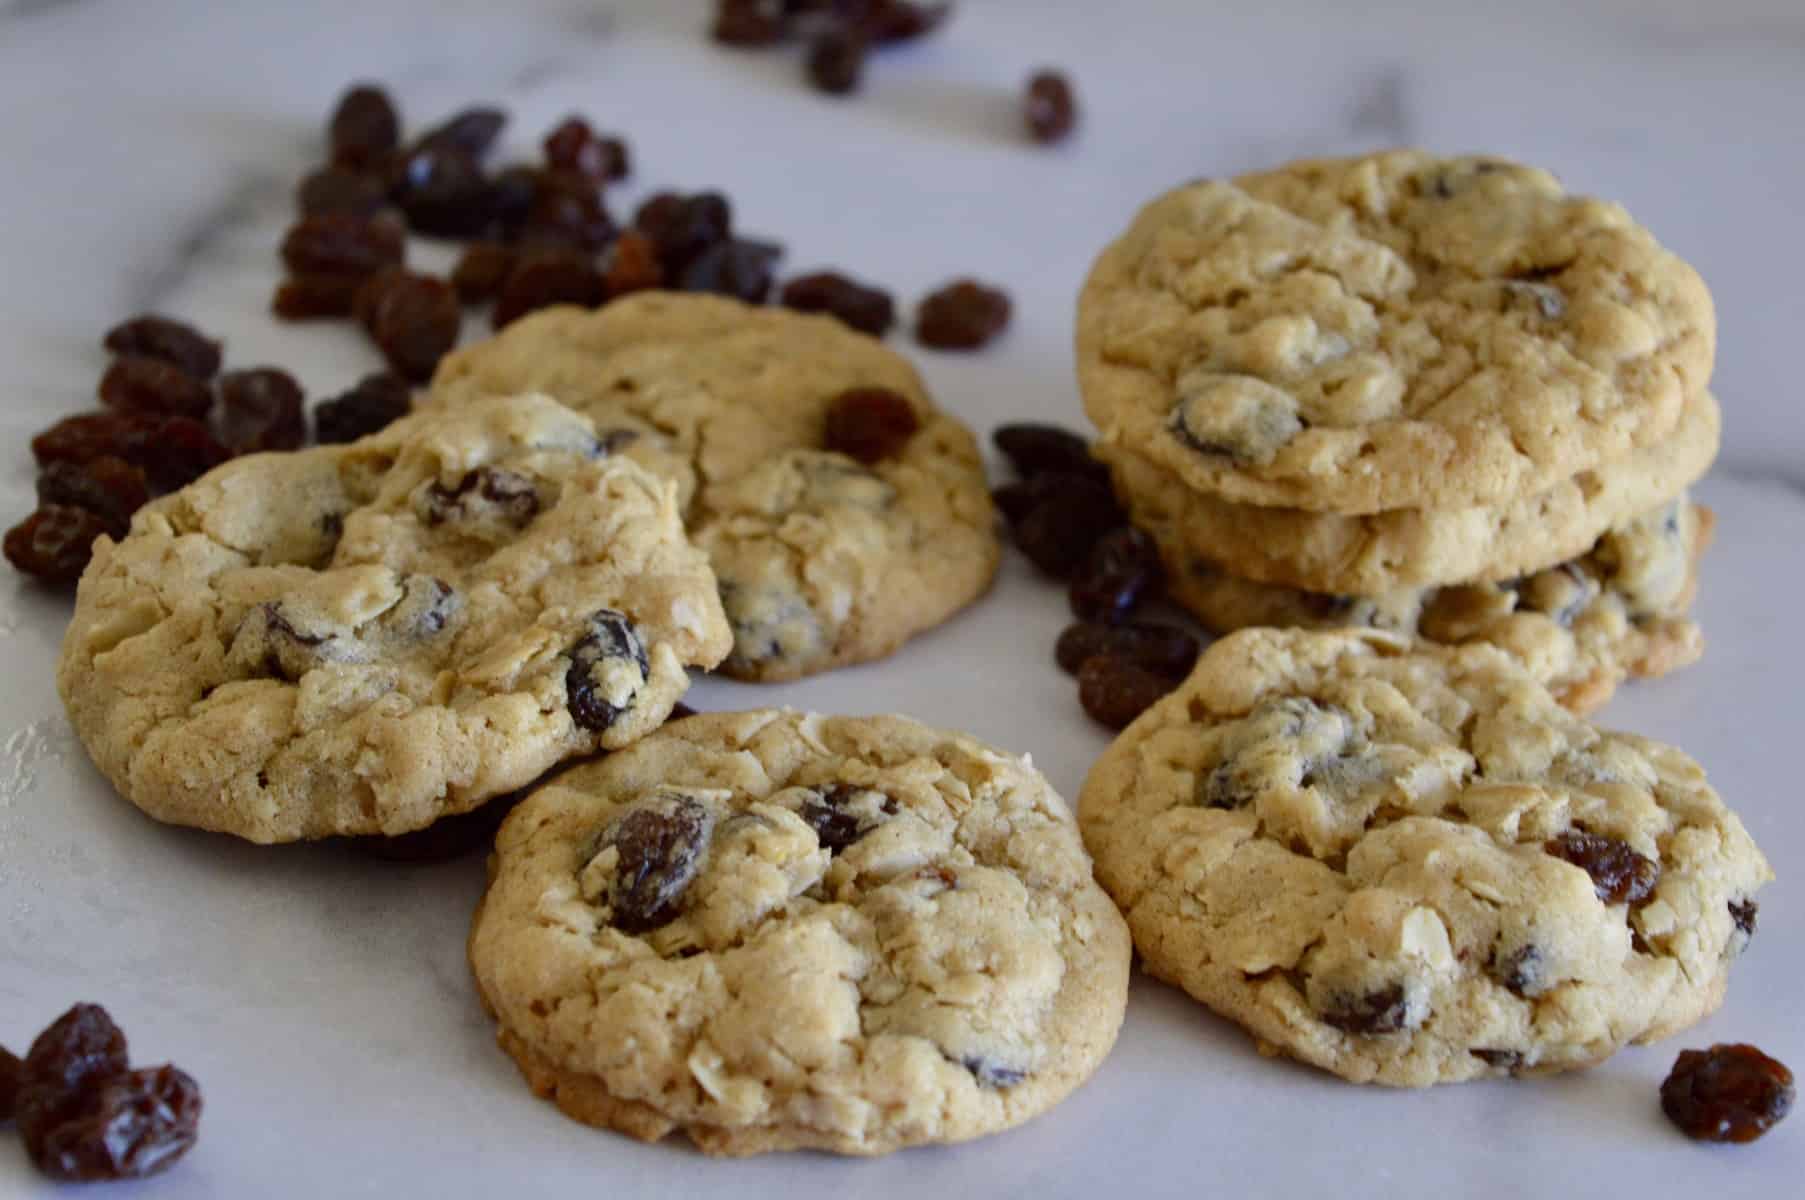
(777,930)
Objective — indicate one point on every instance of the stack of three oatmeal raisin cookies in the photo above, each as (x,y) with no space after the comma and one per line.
(1430,396)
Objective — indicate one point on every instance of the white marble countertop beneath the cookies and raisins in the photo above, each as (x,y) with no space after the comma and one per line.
(322,999)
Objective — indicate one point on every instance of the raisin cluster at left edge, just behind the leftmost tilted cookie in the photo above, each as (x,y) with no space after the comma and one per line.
(167,418)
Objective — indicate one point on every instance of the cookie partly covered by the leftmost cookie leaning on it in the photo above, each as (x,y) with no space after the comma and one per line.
(824,560)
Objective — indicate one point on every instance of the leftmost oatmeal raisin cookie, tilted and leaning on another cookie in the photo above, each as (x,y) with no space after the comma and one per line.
(362,640)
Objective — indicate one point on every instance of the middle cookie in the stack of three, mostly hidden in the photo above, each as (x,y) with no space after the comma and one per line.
(1418,548)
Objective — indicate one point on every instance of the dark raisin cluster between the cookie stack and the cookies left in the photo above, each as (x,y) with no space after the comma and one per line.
(1066,521)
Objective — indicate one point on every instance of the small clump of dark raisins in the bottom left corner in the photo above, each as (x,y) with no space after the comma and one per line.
(82,1111)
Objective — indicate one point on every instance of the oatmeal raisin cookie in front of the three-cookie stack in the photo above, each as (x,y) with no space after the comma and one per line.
(1414,867)
